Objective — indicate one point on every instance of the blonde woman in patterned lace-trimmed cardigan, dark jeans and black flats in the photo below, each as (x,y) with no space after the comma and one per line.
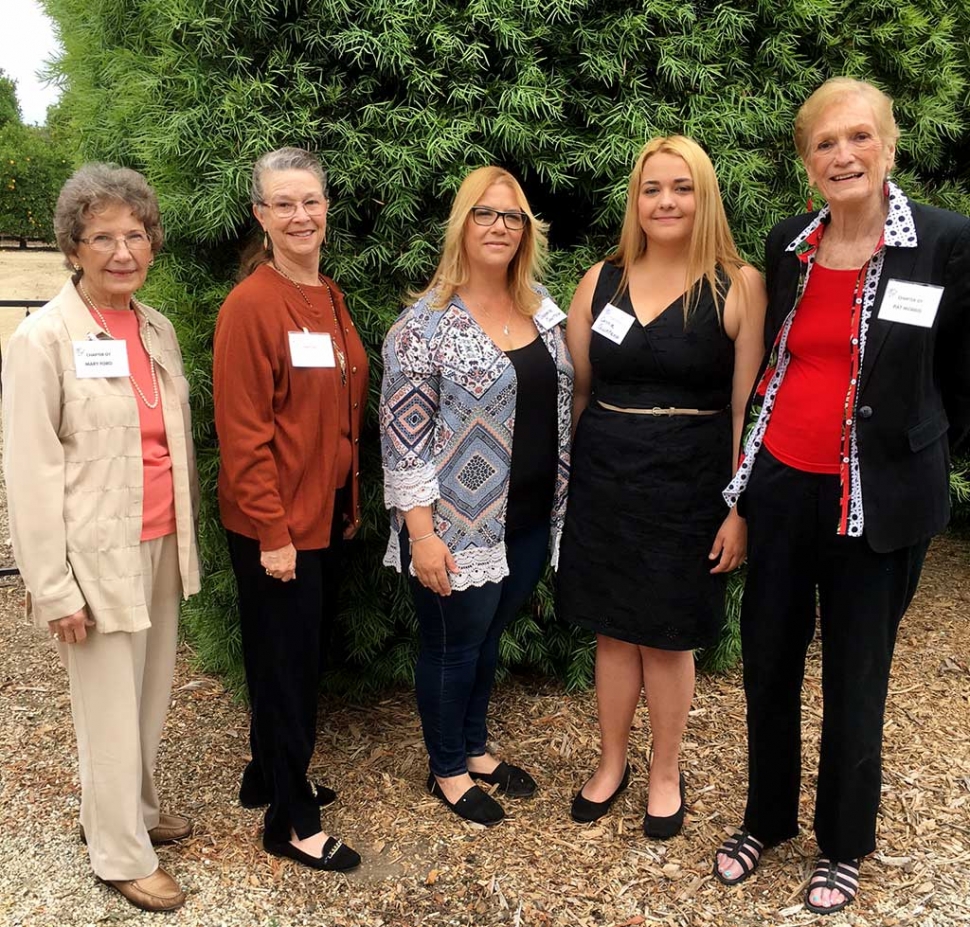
(475,364)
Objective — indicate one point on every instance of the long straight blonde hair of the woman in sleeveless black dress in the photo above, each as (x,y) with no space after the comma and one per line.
(711,243)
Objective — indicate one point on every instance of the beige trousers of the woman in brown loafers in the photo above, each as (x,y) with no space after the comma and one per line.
(121,684)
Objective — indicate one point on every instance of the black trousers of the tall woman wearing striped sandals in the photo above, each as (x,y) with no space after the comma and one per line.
(793,551)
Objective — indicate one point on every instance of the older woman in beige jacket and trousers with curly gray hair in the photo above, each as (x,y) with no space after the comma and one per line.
(102,492)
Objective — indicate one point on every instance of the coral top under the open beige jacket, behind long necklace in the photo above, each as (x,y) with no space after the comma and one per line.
(158,501)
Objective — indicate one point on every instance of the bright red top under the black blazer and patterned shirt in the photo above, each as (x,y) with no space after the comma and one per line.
(805,428)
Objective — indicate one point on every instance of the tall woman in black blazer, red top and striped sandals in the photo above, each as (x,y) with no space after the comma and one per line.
(844,474)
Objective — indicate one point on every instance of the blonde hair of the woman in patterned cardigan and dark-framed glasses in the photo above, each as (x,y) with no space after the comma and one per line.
(526,266)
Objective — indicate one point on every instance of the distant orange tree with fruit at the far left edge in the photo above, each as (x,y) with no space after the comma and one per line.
(32,171)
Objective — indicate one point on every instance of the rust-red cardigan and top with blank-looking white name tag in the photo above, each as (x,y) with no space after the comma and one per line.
(288,435)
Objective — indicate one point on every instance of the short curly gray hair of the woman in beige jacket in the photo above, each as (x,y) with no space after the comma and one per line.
(96,186)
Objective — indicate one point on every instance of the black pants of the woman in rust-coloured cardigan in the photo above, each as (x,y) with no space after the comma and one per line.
(284,634)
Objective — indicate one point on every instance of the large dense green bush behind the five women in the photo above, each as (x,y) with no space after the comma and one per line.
(401,98)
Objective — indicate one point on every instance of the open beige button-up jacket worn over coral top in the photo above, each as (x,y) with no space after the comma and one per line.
(73,468)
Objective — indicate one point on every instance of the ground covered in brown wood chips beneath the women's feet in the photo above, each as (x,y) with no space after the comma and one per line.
(424,866)
